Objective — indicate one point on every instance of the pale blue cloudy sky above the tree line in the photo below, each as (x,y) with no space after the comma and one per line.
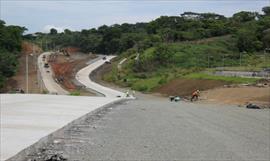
(42,15)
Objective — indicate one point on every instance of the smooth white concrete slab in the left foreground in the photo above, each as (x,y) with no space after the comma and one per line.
(27,118)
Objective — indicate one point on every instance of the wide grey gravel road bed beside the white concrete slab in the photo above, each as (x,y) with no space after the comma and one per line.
(157,129)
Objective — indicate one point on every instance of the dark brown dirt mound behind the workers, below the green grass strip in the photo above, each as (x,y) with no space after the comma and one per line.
(184,87)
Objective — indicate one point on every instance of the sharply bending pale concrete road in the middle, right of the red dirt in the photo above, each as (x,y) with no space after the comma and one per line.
(83,77)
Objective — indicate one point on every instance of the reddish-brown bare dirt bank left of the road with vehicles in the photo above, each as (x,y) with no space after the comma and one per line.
(19,80)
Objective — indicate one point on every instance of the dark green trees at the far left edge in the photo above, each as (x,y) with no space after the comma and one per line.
(10,47)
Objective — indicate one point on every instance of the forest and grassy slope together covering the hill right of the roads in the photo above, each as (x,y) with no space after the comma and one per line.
(171,47)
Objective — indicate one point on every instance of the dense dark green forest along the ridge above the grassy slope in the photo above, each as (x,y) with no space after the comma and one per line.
(250,30)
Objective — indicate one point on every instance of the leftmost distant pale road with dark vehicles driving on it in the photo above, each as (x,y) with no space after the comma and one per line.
(47,77)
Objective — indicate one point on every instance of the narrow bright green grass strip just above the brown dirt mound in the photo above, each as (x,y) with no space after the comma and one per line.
(221,78)
